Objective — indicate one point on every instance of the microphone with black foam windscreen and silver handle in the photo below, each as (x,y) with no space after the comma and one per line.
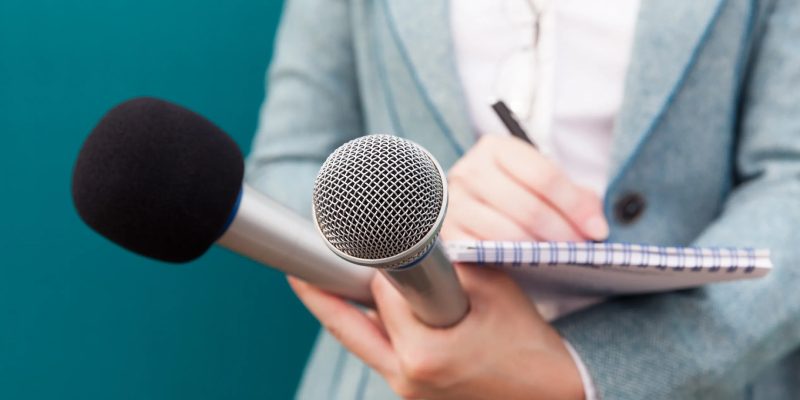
(166,183)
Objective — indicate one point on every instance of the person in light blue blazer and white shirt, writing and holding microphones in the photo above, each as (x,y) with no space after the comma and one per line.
(682,116)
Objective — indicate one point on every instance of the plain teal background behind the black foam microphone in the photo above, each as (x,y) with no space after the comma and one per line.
(79,317)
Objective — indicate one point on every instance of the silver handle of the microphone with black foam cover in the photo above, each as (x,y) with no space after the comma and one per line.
(273,235)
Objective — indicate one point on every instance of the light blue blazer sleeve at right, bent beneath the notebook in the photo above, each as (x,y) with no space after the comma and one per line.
(710,342)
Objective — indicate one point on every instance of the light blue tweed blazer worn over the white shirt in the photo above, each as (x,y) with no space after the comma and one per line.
(708,137)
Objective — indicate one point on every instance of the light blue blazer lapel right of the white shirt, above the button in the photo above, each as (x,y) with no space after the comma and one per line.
(668,37)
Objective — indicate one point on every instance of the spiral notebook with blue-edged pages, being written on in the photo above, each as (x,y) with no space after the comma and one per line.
(604,269)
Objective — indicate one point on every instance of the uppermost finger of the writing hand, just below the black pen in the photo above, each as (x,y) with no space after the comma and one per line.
(580,206)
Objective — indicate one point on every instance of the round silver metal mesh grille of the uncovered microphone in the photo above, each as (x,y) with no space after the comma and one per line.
(377,196)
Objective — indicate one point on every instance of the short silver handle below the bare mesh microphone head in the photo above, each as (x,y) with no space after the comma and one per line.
(432,289)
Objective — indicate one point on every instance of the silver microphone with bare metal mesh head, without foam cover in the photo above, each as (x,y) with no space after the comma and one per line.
(379,201)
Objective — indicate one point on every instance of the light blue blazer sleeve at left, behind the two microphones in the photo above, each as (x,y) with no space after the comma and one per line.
(312,103)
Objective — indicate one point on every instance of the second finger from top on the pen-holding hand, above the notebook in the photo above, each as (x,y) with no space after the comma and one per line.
(535,216)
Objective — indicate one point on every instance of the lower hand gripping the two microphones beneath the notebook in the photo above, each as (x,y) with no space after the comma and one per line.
(502,349)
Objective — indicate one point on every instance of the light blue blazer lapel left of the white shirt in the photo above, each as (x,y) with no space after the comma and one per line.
(421,29)
